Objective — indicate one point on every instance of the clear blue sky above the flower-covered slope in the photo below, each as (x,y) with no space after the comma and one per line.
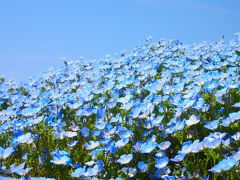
(36,34)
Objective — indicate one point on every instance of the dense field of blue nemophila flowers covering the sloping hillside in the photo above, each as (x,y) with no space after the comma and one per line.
(166,110)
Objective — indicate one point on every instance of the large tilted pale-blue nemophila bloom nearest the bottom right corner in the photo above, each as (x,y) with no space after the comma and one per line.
(224,165)
